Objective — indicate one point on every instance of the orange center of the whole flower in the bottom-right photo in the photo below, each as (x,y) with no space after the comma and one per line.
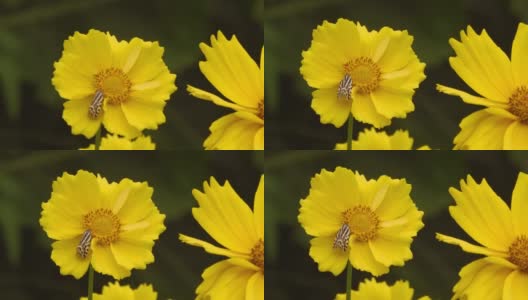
(362,221)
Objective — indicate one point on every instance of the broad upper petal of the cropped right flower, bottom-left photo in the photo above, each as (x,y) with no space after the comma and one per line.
(225,216)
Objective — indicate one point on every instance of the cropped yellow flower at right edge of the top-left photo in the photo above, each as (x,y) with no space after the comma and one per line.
(235,75)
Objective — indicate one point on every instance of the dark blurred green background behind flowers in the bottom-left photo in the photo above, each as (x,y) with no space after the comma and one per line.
(26,270)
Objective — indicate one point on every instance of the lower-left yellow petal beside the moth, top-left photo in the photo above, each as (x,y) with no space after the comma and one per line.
(76,115)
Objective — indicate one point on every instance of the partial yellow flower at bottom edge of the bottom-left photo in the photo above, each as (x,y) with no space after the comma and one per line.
(114,291)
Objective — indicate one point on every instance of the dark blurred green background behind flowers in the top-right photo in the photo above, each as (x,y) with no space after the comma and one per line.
(292,124)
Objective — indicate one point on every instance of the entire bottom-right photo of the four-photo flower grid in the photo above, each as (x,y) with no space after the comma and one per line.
(407,213)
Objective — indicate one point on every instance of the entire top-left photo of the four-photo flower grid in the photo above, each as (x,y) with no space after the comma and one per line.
(124,68)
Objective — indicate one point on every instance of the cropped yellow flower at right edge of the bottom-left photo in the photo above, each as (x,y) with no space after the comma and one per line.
(230,221)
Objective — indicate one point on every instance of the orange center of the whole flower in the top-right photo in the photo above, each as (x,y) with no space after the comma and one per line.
(365,74)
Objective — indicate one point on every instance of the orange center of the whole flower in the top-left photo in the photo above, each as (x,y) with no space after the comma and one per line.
(114,84)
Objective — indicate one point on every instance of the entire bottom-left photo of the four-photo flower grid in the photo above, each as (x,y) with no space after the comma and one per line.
(150,221)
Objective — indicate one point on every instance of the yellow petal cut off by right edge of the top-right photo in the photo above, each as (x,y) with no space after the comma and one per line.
(519,60)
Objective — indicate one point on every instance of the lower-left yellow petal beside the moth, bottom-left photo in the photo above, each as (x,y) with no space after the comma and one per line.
(65,256)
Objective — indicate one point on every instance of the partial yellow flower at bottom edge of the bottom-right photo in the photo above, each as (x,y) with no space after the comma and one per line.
(370,289)
